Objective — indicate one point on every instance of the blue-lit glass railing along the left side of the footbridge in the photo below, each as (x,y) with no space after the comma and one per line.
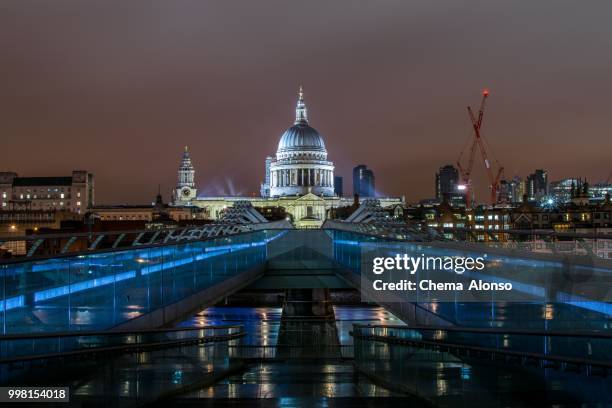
(101,289)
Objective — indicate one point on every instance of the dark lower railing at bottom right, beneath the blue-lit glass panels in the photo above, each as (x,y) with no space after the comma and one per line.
(581,352)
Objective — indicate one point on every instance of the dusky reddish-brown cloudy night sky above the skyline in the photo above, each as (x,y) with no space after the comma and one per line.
(119,87)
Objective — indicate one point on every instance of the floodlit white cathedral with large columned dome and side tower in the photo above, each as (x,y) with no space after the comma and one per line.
(299,178)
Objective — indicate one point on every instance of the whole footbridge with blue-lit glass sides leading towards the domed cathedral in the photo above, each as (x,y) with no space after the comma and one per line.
(153,318)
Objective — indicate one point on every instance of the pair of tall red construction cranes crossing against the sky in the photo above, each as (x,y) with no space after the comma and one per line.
(477,141)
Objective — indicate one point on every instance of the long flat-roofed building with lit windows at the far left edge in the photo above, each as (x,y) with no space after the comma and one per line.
(72,193)
